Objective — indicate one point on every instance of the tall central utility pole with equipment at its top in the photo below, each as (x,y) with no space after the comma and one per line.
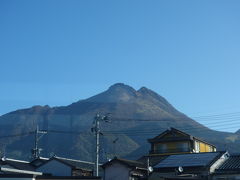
(96,129)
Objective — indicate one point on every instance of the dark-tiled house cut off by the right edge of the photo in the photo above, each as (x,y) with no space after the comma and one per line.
(230,169)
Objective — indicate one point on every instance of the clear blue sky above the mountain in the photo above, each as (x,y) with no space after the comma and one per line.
(56,52)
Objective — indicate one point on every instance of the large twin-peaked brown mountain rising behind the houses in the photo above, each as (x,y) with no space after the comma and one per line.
(136,115)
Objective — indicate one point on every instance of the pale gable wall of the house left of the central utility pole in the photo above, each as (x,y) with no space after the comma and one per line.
(55,168)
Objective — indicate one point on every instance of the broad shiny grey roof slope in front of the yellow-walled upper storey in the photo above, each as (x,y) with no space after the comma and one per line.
(189,160)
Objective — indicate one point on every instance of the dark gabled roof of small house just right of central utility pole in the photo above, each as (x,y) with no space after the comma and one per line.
(129,163)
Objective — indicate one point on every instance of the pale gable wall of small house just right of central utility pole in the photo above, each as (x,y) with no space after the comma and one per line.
(116,171)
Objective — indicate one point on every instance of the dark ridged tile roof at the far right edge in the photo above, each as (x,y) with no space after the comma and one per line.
(231,164)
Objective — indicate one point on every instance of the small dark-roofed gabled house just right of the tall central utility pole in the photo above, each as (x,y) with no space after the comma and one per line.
(122,169)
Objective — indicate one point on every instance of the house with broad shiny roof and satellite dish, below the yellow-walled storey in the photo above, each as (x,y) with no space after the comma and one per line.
(191,165)
